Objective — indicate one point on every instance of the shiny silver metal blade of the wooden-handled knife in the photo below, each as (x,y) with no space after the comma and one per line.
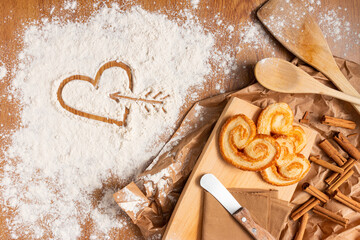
(211,184)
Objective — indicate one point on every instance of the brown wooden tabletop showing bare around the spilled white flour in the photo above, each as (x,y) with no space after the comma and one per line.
(15,14)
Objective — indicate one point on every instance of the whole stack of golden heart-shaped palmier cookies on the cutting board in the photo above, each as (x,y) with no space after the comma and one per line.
(272,147)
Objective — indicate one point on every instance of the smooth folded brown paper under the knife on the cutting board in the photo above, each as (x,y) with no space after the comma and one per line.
(267,211)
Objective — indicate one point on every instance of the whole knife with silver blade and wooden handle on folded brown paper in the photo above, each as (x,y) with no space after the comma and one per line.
(211,184)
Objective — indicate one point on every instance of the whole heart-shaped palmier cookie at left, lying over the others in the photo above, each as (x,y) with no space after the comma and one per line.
(240,147)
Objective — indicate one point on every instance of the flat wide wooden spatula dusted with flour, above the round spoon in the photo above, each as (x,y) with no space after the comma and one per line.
(294,28)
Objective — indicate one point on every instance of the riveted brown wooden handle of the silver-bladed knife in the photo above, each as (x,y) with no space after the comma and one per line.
(244,218)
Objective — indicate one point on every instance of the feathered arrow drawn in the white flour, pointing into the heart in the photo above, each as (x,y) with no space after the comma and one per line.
(156,101)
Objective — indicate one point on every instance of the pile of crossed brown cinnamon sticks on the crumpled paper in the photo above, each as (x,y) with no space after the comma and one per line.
(341,173)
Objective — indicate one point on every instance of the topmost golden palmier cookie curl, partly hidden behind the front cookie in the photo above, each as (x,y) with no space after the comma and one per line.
(276,118)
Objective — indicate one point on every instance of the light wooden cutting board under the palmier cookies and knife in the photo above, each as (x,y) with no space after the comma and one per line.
(185,222)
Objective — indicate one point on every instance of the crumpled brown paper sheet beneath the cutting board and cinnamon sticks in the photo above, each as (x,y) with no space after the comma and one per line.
(162,182)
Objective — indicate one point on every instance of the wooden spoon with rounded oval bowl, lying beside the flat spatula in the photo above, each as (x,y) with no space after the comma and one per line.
(282,76)
